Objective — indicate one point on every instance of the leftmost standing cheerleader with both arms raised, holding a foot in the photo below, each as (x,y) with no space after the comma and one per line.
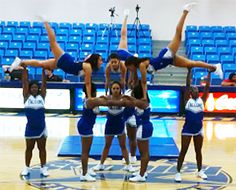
(35,131)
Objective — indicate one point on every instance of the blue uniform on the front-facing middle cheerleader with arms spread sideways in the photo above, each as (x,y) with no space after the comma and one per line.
(115,124)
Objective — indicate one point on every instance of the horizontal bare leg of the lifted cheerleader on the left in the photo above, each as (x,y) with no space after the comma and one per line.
(46,64)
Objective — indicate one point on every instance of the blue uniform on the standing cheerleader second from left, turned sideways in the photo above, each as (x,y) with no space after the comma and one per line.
(87,121)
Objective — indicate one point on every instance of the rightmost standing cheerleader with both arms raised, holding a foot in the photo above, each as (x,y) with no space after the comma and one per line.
(194,111)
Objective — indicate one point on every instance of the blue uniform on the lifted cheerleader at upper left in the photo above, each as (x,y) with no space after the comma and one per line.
(68,65)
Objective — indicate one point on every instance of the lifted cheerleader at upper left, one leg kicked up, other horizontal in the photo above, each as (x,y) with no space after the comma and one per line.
(64,61)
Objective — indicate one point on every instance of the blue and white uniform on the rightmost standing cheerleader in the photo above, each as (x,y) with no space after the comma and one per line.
(193,118)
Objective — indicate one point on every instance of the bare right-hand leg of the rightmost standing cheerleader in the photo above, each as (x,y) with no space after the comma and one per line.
(198,141)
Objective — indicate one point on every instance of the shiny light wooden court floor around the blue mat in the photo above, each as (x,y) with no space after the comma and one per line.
(219,151)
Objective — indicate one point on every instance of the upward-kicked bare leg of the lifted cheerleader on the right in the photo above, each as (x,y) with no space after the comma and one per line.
(176,41)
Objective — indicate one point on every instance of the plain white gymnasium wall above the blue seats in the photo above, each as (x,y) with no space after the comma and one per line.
(162,15)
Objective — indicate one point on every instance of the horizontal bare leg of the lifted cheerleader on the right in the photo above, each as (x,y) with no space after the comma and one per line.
(181,61)
